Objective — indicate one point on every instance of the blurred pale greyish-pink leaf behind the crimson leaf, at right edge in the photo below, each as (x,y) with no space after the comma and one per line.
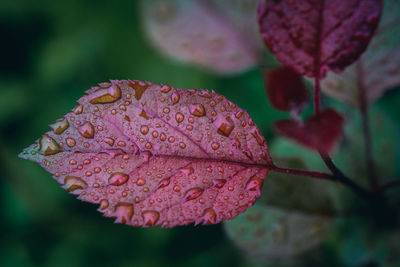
(378,69)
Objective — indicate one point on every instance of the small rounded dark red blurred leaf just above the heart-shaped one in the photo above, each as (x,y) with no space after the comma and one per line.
(286,91)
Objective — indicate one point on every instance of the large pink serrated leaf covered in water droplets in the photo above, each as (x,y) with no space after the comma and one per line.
(155,155)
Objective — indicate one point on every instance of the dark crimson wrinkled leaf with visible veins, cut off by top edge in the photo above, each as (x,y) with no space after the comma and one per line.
(315,36)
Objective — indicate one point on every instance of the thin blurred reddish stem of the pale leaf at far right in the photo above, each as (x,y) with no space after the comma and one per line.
(369,160)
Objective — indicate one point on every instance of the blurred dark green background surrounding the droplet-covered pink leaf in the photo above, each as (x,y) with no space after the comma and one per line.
(51,52)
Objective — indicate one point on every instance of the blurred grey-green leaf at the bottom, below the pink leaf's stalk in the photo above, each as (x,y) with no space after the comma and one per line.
(268,233)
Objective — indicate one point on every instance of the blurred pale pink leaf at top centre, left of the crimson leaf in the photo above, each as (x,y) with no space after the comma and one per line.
(205,33)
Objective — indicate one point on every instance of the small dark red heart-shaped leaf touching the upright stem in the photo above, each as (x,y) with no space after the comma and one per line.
(319,132)
